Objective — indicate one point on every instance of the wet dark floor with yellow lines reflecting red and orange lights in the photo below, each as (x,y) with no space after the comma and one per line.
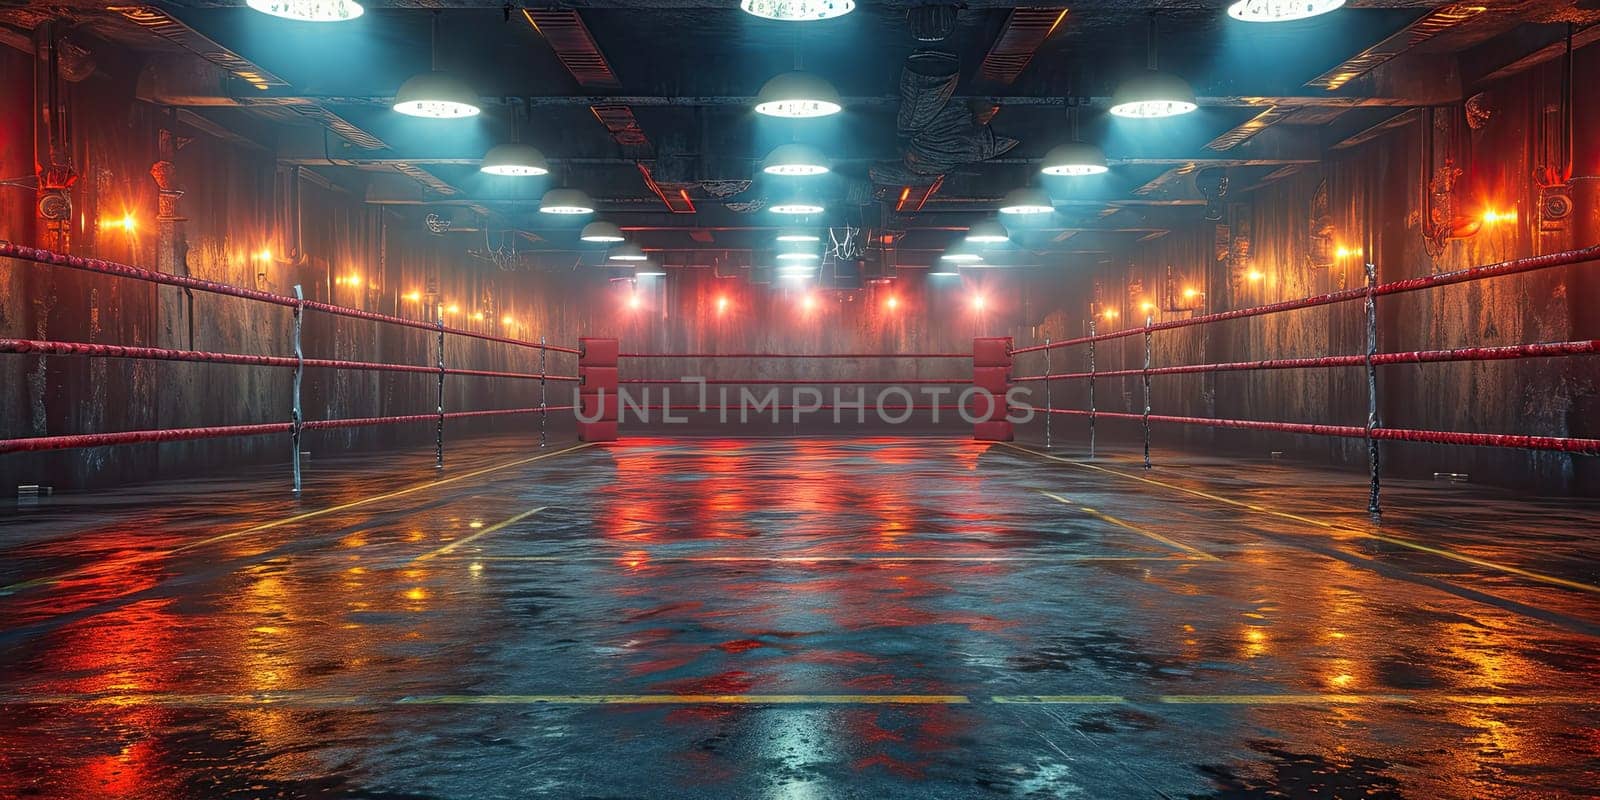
(796,618)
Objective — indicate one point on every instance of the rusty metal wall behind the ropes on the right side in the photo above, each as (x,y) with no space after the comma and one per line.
(1374,202)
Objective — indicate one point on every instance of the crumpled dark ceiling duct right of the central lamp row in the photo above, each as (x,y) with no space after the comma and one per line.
(938,137)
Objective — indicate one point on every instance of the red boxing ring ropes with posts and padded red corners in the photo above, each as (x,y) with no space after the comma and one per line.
(982,398)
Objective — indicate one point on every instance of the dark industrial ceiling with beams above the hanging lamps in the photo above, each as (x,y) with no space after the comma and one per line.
(660,110)
